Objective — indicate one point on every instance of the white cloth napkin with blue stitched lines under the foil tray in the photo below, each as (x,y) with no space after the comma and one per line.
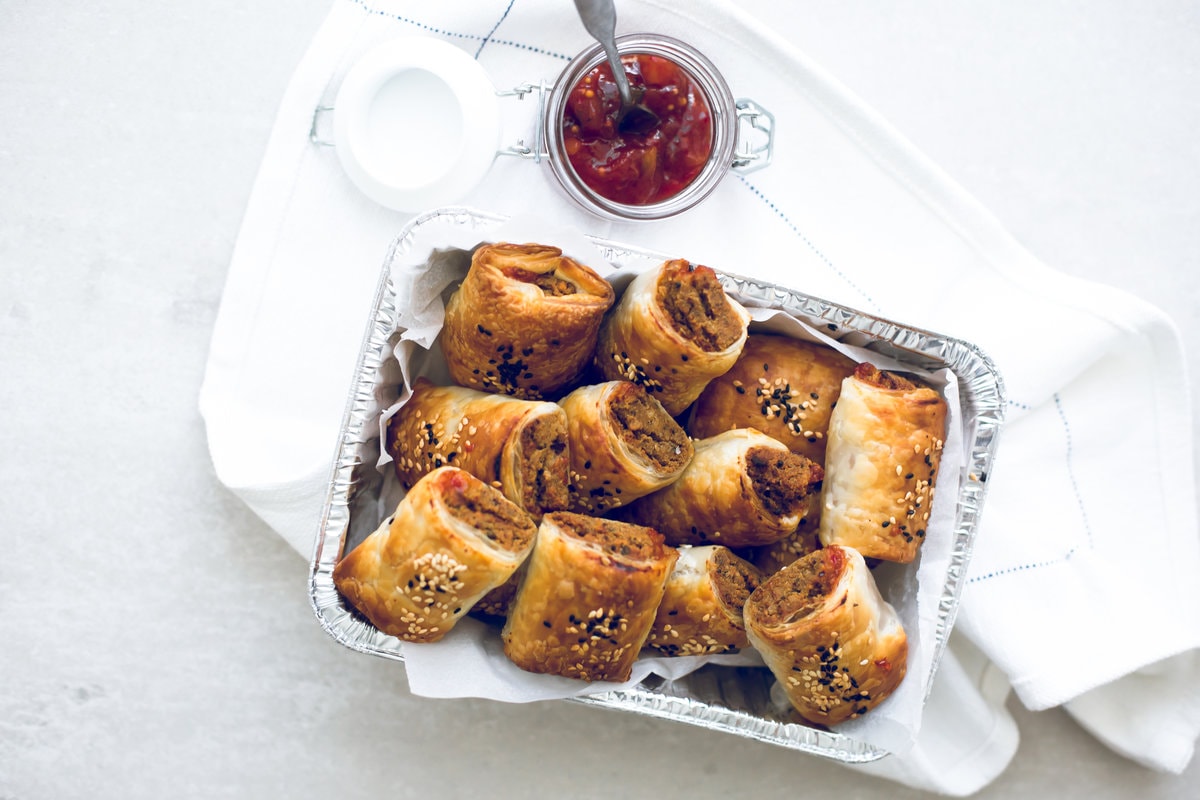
(1070,600)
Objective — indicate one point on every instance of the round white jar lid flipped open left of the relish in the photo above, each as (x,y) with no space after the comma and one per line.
(417,124)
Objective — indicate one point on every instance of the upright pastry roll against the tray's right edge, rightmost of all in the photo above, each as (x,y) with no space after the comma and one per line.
(886,440)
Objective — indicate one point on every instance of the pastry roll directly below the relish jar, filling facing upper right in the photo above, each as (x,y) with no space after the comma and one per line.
(673,332)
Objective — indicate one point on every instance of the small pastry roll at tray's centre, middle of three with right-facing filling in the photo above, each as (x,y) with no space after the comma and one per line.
(623,446)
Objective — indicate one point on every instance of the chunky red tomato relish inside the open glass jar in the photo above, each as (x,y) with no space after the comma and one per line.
(639,169)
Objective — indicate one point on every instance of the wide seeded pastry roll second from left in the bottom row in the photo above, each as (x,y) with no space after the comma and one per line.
(589,598)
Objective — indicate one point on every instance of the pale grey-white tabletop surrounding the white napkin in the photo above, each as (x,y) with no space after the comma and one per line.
(155,636)
